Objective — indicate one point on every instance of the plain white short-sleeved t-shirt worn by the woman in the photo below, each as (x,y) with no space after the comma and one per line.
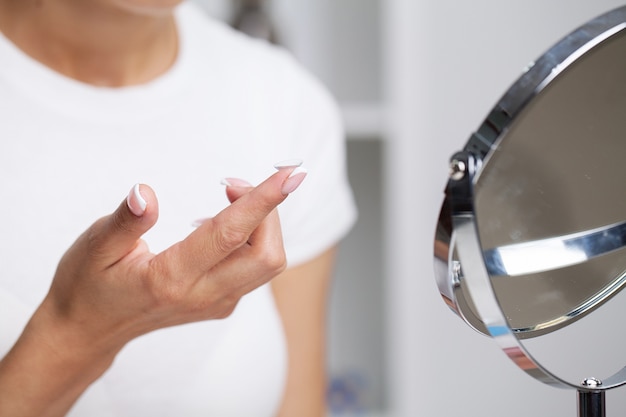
(69,153)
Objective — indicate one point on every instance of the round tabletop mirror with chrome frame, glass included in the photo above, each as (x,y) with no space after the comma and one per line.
(531,242)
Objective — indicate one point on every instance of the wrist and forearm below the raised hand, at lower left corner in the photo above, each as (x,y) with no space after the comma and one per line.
(48,369)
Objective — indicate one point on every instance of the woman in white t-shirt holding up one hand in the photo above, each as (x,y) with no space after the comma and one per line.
(98,94)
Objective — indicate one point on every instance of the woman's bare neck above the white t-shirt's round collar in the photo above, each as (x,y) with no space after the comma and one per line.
(94,41)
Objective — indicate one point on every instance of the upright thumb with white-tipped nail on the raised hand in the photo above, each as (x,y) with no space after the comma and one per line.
(116,235)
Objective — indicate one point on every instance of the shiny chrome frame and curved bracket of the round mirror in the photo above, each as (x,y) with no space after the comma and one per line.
(461,261)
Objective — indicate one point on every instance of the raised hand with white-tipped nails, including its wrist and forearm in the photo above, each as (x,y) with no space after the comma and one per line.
(109,289)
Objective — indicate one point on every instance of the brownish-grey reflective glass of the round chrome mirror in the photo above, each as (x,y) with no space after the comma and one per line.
(559,171)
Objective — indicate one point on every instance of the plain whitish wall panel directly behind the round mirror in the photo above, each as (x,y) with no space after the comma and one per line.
(447,63)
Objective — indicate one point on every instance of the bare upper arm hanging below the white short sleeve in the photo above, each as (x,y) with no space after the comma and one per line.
(301,297)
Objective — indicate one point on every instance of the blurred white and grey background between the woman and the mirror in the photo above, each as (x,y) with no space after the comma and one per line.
(413,78)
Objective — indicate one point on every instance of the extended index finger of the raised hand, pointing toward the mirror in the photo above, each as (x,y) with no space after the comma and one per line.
(219,236)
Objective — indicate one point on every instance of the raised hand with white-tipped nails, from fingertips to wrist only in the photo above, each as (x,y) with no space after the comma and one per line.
(109,286)
